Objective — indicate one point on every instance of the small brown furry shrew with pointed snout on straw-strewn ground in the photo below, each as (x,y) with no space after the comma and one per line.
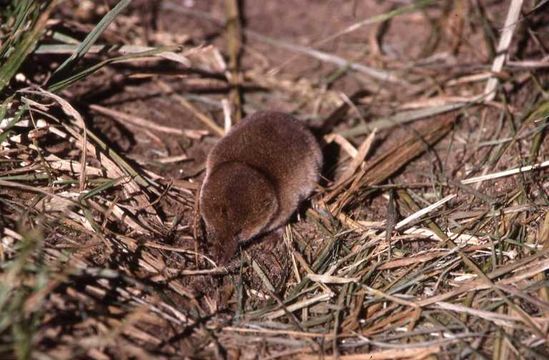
(256,176)
